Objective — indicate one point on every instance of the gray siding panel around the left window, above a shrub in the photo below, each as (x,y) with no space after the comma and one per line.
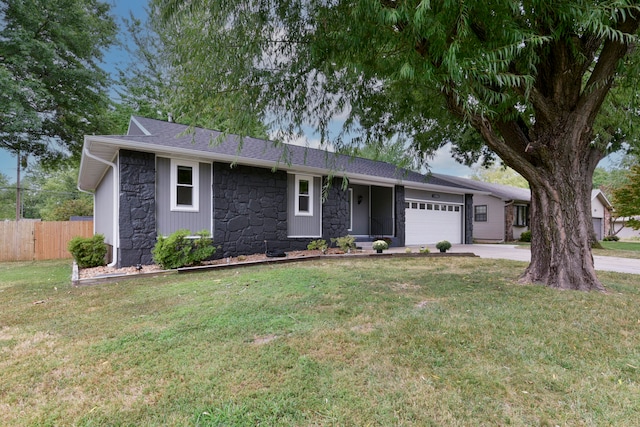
(168,221)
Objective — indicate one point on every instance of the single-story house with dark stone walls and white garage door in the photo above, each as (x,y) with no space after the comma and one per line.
(254,196)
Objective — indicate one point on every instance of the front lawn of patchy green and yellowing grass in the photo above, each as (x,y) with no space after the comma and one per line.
(405,342)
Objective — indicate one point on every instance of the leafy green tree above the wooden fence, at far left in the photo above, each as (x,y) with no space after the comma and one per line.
(52,89)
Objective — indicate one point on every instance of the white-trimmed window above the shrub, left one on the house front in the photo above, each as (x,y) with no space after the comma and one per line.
(184,186)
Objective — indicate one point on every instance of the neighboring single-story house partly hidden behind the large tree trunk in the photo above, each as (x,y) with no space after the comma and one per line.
(501,212)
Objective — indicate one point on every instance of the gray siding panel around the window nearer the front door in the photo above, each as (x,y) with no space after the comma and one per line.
(304,226)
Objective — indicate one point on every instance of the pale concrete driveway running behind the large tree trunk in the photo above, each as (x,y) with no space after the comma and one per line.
(522,253)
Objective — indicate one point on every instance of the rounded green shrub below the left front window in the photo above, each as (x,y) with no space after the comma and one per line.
(178,250)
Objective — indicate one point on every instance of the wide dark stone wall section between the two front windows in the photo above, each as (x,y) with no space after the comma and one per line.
(249,207)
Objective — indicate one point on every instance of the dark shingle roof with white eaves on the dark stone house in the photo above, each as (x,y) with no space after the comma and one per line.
(170,139)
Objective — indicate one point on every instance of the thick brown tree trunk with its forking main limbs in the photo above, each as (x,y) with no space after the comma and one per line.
(552,143)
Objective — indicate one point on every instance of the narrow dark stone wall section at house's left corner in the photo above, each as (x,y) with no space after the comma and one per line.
(137,208)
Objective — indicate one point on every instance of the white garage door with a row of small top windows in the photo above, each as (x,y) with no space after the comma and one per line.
(428,222)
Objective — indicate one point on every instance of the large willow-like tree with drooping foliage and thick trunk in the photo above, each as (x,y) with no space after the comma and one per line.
(524,80)
